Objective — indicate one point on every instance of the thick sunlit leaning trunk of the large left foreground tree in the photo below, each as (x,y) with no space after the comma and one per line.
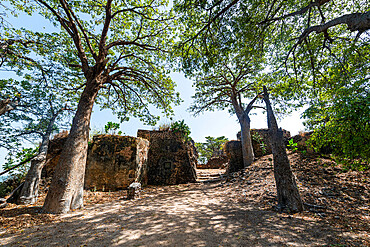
(66,189)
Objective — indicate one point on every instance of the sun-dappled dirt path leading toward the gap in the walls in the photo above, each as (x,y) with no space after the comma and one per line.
(184,215)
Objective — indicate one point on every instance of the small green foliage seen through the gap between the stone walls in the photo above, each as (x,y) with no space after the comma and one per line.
(212,147)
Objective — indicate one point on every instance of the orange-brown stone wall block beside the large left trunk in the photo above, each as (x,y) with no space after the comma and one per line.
(114,162)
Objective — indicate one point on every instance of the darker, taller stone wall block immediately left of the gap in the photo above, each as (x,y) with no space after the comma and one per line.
(171,160)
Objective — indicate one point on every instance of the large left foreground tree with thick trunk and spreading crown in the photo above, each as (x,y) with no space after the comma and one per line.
(118,51)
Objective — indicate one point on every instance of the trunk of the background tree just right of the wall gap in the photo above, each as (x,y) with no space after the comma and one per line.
(246,140)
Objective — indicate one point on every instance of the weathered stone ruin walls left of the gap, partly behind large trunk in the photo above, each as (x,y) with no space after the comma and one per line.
(114,162)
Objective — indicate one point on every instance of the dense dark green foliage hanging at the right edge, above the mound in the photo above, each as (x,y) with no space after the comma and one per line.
(341,122)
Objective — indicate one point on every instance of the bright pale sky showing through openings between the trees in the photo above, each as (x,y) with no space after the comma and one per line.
(219,123)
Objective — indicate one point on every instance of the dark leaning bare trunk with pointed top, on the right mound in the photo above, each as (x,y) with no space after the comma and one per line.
(287,191)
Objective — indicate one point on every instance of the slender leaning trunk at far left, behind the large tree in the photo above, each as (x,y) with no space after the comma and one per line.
(30,188)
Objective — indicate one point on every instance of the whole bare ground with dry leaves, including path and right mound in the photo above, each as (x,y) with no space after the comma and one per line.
(239,211)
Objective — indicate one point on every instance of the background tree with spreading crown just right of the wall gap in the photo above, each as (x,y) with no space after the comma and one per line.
(225,86)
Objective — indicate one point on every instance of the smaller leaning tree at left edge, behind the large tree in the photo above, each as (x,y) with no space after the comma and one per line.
(39,113)
